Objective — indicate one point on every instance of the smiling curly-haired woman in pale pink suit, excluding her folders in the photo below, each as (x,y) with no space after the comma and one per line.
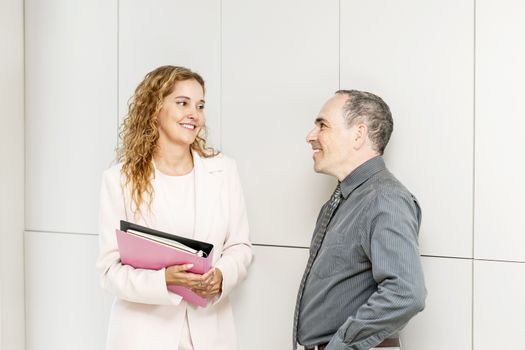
(168,180)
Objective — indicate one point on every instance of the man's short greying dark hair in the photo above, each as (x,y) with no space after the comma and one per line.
(370,109)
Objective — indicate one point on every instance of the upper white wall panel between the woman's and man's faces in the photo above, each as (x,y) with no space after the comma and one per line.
(279,65)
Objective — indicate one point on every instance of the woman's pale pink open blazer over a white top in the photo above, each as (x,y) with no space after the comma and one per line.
(144,314)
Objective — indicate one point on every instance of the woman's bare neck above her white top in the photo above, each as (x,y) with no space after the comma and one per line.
(174,162)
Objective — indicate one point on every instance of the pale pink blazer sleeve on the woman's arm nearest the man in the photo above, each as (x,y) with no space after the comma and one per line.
(237,250)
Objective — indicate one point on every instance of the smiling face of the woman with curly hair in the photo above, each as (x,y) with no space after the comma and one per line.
(182,114)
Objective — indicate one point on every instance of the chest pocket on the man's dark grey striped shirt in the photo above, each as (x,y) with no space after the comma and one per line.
(330,261)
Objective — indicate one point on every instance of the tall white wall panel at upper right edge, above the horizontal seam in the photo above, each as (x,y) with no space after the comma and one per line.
(500,73)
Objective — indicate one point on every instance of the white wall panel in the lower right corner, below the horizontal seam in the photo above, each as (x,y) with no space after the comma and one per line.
(499,305)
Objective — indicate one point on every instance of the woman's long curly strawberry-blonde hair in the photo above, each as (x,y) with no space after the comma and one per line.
(139,132)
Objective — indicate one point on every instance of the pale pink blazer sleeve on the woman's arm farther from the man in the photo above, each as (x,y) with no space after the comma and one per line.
(126,282)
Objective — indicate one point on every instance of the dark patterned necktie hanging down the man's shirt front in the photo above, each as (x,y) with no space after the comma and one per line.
(314,249)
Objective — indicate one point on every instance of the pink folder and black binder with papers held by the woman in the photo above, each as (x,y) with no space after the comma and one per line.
(145,248)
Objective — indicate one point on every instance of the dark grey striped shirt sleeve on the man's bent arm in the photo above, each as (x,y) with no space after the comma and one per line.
(390,240)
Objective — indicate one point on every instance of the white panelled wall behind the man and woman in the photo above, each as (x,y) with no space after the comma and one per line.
(451,71)
